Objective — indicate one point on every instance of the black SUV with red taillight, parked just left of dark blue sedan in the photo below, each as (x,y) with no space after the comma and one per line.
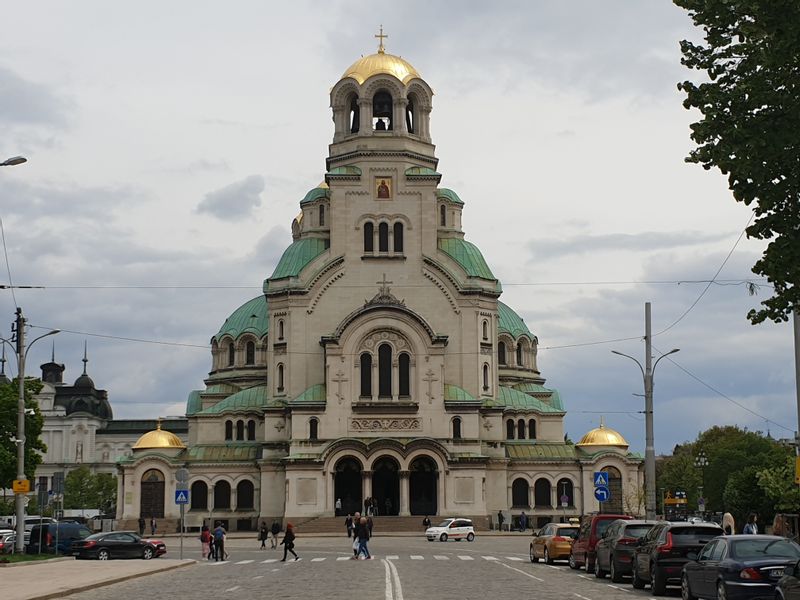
(661,554)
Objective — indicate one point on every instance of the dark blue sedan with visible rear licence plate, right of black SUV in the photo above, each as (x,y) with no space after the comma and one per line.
(737,567)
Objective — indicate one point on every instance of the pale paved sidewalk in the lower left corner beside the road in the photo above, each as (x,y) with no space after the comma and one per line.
(56,579)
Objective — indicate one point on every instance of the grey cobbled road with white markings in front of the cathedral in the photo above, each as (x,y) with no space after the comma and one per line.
(403,568)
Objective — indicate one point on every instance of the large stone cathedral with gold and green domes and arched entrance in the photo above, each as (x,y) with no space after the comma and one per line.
(379,360)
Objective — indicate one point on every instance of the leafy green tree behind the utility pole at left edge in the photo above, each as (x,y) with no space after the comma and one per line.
(9,399)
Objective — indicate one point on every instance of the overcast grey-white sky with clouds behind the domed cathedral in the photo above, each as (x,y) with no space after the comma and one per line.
(169,145)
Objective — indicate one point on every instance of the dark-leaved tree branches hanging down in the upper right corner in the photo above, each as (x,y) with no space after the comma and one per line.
(751,116)
